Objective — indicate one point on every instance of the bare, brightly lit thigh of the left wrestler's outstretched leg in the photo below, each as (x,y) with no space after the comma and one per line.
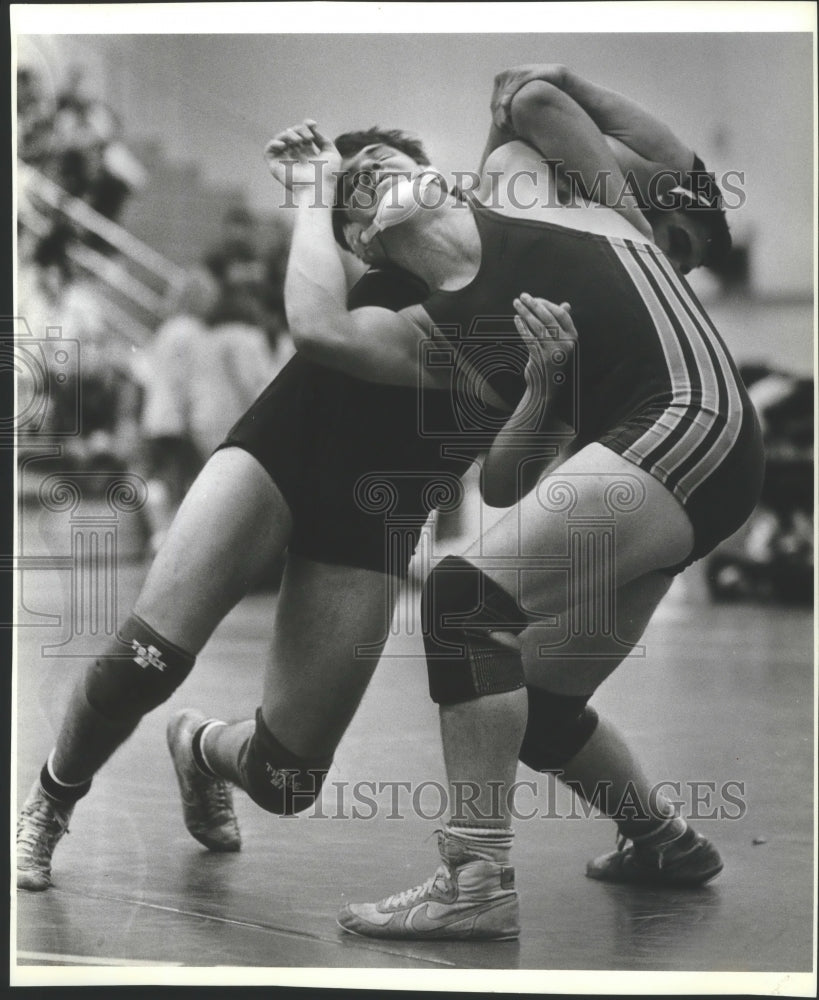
(232,522)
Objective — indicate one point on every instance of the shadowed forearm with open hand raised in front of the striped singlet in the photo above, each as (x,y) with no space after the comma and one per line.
(526,444)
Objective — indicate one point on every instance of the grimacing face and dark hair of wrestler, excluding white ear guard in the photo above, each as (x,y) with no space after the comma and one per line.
(372,162)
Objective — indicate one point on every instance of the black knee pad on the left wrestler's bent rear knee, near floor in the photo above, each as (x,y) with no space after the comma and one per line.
(276,779)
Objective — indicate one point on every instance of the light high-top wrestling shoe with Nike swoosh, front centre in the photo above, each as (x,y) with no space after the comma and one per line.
(467,899)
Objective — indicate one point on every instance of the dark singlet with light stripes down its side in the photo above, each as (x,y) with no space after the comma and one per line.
(655,382)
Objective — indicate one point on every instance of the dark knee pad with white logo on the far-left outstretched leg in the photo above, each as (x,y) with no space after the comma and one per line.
(139,672)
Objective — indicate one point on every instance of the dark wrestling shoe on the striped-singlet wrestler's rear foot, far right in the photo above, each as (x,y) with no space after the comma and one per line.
(673,855)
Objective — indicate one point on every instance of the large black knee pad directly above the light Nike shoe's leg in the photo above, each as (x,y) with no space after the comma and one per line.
(464,659)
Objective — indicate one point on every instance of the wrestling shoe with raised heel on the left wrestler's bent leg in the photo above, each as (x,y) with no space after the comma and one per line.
(207,803)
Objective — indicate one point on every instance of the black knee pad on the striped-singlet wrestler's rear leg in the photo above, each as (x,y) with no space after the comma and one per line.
(559,726)
